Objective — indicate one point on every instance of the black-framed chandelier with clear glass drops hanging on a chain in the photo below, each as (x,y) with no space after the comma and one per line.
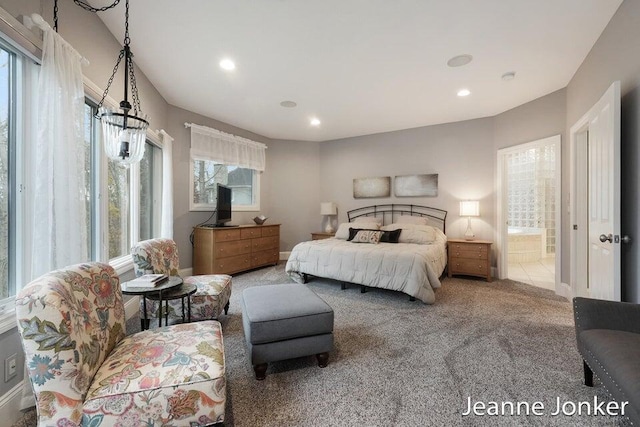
(124,130)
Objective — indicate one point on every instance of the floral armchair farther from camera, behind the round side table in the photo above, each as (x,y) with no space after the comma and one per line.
(160,256)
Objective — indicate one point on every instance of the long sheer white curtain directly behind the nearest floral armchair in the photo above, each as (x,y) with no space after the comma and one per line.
(58,182)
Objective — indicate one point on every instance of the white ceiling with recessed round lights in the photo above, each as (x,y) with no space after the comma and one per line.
(359,66)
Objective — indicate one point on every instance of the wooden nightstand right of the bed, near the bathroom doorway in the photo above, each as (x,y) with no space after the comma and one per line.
(470,258)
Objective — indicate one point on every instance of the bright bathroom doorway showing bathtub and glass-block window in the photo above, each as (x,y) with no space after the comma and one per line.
(529,204)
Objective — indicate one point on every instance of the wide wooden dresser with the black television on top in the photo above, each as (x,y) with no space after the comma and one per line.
(228,250)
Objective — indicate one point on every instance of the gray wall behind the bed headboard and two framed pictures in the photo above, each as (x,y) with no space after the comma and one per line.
(460,153)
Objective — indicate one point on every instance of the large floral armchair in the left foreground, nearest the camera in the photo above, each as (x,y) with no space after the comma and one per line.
(85,371)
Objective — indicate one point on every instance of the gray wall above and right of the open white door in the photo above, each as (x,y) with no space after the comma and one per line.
(615,57)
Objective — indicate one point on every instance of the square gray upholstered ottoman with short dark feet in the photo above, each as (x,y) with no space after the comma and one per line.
(283,322)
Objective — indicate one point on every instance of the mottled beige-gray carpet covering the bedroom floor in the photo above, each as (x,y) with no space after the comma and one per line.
(402,363)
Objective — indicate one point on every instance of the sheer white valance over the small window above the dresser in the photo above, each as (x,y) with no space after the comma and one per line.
(217,146)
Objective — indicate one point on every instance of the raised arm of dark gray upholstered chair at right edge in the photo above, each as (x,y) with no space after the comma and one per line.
(600,314)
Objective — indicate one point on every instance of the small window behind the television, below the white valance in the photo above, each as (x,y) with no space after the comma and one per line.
(206,174)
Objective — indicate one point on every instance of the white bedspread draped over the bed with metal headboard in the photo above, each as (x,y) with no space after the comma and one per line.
(406,267)
